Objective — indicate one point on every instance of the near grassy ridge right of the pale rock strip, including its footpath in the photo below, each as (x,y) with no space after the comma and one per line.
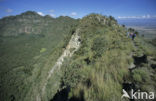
(100,69)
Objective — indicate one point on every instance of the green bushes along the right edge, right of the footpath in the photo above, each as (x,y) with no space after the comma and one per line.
(144,74)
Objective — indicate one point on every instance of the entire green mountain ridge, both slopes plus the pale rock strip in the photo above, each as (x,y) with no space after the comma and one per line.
(104,60)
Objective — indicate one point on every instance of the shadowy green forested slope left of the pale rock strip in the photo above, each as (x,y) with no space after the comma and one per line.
(26,58)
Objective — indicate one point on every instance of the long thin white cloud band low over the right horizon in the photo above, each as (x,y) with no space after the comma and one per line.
(137,17)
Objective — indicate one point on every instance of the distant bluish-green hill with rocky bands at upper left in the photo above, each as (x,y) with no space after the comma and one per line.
(32,23)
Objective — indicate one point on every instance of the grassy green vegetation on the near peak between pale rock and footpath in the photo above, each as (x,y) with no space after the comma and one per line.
(102,60)
